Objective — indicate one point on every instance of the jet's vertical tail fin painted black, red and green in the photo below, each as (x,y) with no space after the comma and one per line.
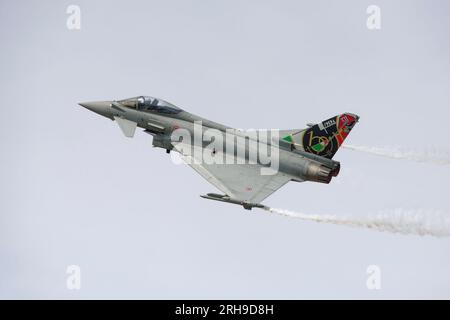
(324,138)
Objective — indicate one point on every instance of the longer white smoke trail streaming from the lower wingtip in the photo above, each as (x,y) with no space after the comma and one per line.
(418,222)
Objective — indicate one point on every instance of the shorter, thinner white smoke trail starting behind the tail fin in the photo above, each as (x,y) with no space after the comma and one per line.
(430,155)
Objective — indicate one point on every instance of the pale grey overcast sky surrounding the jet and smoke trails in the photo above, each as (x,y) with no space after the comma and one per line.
(75,191)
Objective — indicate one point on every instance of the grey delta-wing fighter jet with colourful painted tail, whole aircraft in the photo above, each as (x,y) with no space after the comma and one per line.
(302,154)
